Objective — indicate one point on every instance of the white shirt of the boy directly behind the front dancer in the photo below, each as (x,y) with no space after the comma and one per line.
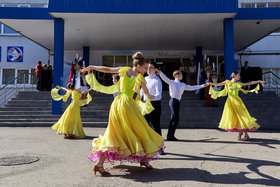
(154,86)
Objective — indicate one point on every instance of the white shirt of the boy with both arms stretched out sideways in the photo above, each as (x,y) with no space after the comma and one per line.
(177,88)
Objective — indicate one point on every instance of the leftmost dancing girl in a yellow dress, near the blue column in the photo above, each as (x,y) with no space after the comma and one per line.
(70,123)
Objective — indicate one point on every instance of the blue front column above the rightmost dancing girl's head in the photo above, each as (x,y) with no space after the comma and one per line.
(229,47)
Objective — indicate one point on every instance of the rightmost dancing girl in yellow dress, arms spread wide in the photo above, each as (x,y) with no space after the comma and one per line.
(236,117)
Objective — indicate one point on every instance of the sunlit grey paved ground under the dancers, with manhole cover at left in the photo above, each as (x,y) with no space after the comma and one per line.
(202,158)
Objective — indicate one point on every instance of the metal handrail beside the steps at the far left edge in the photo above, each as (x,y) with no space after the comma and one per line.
(8,95)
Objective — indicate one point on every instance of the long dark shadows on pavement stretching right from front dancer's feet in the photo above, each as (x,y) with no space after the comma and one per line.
(193,174)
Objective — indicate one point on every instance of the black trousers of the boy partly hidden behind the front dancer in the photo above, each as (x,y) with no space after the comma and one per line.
(153,118)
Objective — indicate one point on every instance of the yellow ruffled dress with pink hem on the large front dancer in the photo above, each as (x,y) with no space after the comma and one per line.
(128,136)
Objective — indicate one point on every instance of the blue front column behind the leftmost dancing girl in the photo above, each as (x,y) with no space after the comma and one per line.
(58,60)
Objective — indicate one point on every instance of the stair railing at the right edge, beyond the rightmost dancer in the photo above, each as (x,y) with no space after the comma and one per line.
(272,82)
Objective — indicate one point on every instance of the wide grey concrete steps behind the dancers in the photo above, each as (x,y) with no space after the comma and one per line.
(34,109)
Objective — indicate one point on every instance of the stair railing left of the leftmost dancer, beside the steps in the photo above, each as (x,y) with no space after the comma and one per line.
(12,87)
